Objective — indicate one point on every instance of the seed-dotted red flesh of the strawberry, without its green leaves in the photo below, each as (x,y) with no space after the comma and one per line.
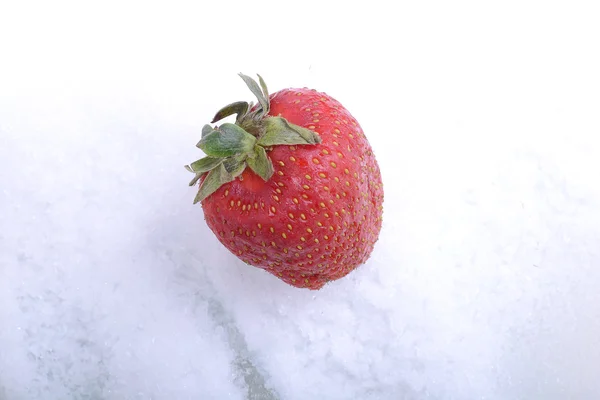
(305,235)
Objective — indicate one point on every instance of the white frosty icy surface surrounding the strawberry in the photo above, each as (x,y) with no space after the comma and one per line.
(485,283)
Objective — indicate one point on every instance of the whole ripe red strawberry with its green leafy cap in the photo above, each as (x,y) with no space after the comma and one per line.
(292,186)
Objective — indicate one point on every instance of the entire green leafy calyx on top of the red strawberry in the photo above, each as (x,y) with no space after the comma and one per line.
(232,147)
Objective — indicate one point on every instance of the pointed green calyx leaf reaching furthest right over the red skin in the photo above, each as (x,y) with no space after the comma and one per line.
(278,131)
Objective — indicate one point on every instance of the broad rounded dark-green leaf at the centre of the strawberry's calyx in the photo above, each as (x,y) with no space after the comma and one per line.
(228,140)
